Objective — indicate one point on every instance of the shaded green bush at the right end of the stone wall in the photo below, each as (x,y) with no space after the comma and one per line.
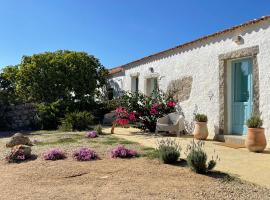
(50,114)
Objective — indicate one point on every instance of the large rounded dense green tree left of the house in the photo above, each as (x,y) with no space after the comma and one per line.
(62,75)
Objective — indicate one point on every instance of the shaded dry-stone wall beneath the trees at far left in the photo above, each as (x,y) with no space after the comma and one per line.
(21,117)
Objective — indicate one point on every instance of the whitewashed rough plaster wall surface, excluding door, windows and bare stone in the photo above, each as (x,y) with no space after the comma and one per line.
(201,62)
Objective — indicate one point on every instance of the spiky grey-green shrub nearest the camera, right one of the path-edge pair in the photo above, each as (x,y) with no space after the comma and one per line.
(197,158)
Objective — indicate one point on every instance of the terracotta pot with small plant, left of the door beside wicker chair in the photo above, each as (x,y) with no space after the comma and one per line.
(200,132)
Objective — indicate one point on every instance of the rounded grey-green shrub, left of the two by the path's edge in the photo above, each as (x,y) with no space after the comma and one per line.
(169,151)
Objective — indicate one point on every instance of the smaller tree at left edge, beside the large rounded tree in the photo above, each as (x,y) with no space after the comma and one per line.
(8,85)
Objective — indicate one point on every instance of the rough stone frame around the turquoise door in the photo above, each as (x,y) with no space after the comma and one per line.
(223,58)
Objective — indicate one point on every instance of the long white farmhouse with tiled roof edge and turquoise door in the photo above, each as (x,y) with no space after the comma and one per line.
(226,75)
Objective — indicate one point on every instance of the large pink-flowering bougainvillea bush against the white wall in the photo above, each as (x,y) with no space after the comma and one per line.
(144,110)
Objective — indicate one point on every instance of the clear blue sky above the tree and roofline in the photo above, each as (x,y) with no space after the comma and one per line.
(115,31)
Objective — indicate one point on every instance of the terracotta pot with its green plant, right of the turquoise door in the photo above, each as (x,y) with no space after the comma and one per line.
(255,140)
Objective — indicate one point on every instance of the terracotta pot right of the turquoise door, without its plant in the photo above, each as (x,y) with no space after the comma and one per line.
(255,140)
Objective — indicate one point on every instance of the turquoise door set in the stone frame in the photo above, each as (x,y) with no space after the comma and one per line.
(241,95)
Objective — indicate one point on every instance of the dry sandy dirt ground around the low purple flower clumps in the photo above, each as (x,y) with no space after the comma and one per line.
(137,178)
